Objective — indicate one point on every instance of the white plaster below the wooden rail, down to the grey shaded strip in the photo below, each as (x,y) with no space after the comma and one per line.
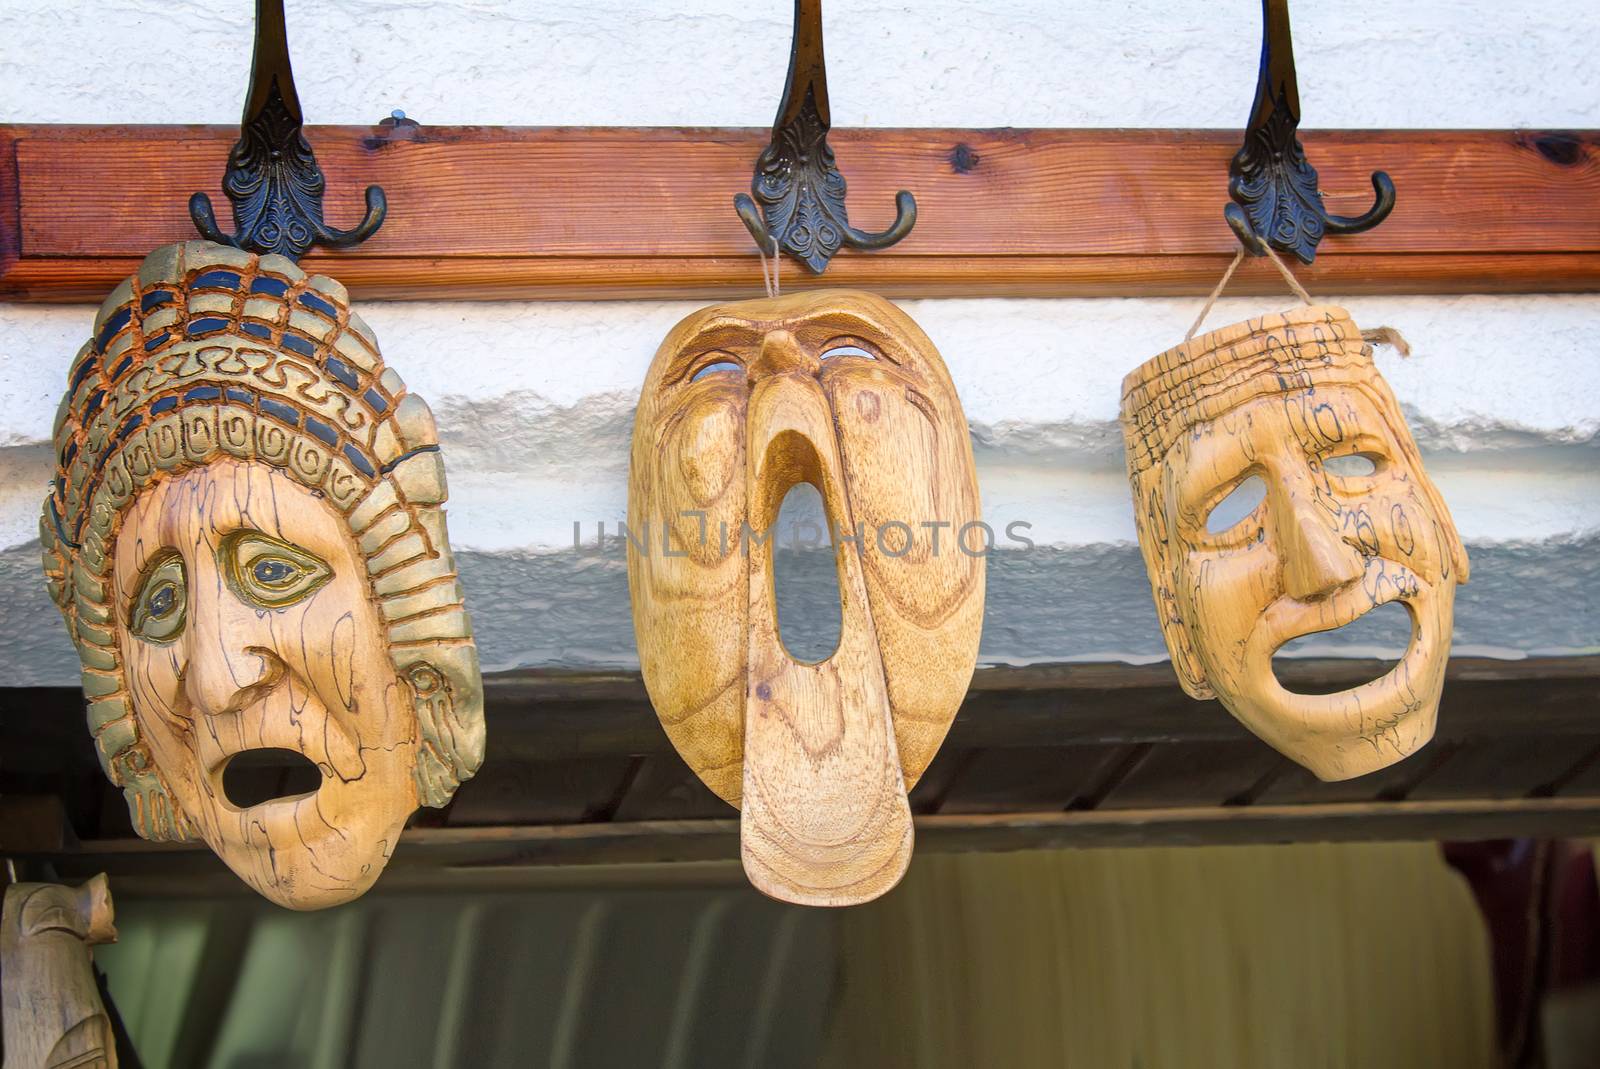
(535,406)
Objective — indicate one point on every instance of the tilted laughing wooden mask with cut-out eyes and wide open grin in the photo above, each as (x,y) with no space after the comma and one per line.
(1289,398)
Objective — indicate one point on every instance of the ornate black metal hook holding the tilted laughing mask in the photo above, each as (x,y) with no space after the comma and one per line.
(1274,190)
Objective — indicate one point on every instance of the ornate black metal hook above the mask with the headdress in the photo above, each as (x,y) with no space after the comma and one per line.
(273,177)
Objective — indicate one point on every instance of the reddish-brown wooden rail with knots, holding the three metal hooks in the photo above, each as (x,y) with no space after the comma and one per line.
(582,214)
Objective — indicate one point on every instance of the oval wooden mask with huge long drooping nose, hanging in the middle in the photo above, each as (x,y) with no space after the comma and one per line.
(743,402)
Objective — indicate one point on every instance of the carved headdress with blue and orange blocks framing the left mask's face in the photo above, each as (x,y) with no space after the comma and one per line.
(209,354)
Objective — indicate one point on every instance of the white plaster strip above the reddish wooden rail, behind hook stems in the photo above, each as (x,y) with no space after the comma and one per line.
(938,63)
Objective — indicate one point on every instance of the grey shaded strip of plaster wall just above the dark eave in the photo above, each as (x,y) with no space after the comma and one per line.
(1042,606)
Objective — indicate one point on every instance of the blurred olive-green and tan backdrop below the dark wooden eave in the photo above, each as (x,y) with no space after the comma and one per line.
(1236,958)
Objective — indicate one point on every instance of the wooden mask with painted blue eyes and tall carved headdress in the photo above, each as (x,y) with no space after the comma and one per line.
(247,543)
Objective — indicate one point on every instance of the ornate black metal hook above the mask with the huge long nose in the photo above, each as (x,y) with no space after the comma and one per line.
(801,191)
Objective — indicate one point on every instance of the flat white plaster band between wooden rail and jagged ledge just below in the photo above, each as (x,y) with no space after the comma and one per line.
(1036,377)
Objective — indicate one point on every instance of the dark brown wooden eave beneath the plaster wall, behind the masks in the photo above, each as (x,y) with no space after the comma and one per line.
(1050,756)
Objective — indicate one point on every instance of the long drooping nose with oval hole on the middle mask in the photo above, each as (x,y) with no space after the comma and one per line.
(825,819)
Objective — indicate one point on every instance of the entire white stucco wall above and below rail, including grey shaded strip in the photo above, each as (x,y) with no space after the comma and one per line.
(535,401)
